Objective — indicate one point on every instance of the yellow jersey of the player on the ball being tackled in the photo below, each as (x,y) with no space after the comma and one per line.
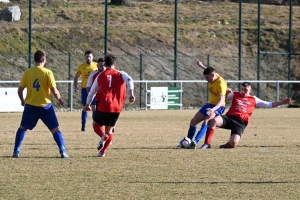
(216,88)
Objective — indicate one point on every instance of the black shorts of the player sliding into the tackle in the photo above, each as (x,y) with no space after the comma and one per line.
(236,125)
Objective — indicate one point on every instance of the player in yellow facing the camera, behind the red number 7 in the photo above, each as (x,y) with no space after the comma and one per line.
(84,70)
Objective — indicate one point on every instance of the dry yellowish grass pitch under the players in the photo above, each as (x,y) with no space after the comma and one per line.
(143,162)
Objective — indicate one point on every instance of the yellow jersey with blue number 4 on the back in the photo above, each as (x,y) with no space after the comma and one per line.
(38,81)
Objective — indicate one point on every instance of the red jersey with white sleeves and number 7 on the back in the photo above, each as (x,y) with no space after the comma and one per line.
(112,90)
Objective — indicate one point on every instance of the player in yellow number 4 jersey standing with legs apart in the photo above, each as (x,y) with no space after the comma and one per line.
(39,81)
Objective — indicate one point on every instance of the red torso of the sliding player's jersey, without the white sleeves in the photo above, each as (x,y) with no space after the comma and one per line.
(242,106)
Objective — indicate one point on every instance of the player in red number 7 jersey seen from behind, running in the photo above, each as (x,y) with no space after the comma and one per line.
(112,86)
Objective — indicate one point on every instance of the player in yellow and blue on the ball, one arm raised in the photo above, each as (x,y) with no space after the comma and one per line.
(215,106)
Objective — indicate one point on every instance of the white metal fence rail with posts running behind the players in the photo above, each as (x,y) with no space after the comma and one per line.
(180,82)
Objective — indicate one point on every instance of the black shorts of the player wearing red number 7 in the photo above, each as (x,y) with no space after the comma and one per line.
(106,118)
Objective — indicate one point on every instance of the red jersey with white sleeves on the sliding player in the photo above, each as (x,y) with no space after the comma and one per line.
(243,106)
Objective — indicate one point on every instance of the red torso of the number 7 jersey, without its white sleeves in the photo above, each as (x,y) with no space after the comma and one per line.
(112,91)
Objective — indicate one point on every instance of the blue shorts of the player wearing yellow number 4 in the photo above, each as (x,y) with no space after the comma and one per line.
(32,114)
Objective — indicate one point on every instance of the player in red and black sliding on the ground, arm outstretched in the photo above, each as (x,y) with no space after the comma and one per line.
(237,117)
